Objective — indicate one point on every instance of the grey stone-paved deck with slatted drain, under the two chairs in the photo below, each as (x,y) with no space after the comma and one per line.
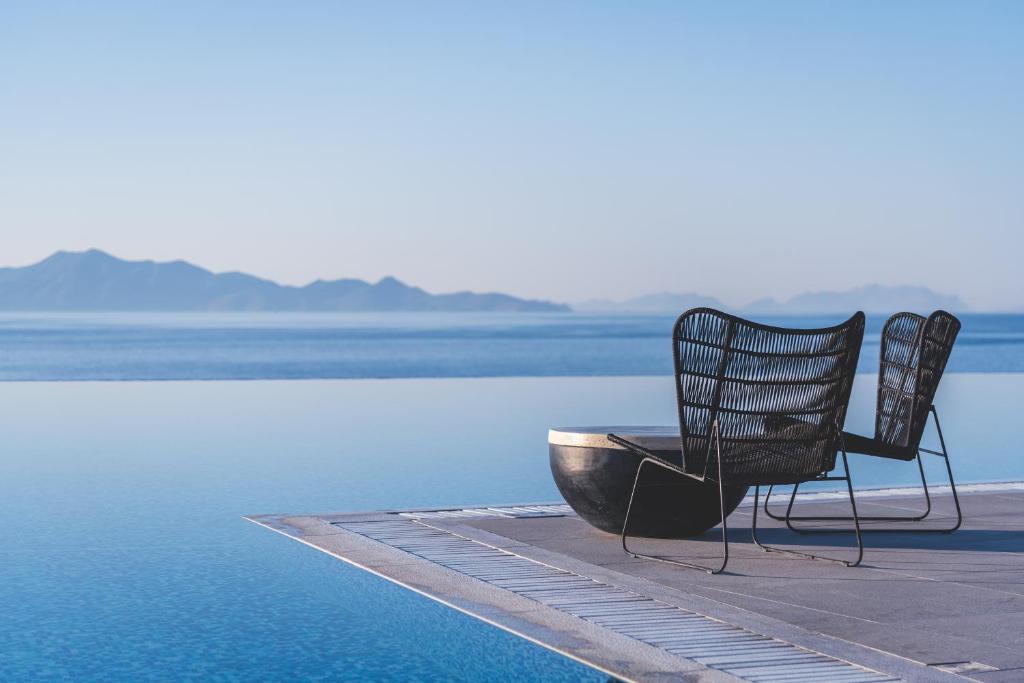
(922,608)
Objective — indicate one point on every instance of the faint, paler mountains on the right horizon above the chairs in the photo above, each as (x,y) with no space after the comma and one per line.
(870,298)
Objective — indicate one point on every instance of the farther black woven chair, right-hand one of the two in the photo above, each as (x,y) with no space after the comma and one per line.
(914,356)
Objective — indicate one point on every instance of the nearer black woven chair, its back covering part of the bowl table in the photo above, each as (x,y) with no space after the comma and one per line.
(758,406)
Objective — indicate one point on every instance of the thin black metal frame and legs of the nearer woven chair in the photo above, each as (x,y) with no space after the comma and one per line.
(715,442)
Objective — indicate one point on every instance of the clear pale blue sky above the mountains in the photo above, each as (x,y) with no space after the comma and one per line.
(556,150)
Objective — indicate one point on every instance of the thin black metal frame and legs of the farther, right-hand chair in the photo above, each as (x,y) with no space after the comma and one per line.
(789,518)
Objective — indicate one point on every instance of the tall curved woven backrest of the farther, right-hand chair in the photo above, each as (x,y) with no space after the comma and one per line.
(913,358)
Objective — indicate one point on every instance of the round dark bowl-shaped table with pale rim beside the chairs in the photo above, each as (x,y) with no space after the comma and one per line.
(595,477)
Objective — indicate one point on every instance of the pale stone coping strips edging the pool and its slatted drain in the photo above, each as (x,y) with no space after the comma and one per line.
(602,649)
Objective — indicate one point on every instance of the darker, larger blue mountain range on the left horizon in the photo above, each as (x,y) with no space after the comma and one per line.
(97,281)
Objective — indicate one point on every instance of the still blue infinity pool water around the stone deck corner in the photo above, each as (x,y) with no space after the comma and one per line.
(125,557)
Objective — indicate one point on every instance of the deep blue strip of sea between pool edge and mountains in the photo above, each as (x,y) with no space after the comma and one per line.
(160,347)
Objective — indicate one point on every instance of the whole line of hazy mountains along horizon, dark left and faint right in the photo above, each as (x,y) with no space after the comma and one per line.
(96,281)
